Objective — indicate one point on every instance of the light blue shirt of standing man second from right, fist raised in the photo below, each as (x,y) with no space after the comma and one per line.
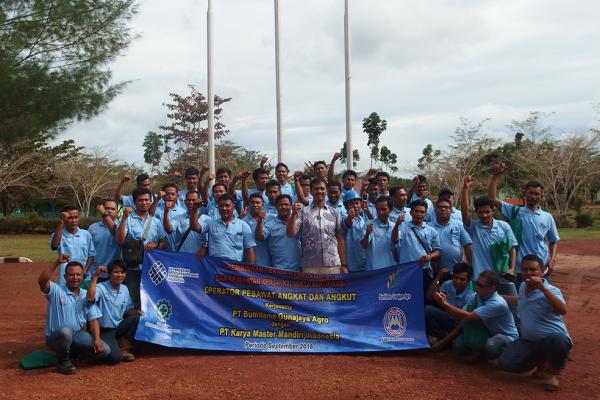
(483,237)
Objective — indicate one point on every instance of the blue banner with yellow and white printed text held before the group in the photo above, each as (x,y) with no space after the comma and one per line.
(217,304)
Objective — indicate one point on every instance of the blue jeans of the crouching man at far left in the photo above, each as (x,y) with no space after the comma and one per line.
(64,341)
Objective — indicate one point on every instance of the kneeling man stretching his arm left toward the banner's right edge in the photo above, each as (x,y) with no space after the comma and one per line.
(486,313)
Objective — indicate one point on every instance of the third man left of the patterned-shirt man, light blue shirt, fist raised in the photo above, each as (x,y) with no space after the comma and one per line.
(228,236)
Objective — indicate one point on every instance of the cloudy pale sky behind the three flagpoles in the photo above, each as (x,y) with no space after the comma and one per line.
(420,65)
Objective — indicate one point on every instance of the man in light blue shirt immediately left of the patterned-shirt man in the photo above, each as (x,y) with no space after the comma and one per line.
(285,251)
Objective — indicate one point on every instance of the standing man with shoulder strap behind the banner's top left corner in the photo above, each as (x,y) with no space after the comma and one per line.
(132,226)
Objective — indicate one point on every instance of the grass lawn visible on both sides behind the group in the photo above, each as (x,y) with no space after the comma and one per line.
(37,247)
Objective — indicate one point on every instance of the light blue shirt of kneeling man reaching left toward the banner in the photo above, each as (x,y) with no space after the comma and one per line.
(495,315)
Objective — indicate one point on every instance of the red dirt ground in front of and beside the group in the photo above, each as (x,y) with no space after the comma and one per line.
(161,373)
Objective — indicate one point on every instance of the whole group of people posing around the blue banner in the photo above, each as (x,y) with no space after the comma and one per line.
(485,280)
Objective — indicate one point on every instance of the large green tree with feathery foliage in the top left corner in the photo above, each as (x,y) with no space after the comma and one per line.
(53,62)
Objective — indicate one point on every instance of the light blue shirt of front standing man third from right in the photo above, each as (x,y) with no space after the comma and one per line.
(453,237)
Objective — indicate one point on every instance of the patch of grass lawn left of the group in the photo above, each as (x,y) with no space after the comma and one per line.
(35,247)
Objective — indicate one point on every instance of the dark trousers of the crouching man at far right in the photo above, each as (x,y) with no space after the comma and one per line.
(523,355)
